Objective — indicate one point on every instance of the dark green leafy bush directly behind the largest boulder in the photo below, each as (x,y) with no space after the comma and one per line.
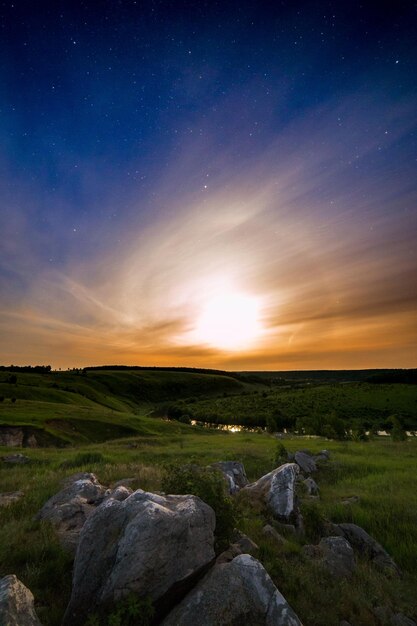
(209,485)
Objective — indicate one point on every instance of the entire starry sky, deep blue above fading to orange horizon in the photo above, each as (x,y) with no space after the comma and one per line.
(157,155)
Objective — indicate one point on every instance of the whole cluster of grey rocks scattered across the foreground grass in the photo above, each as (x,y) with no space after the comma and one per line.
(162,547)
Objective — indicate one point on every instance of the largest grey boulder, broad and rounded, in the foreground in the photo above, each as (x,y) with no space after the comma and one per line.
(145,544)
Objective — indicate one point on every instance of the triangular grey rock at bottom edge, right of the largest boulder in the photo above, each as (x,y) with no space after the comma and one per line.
(239,592)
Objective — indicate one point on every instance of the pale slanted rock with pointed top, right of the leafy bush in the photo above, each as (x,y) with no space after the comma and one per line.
(277,490)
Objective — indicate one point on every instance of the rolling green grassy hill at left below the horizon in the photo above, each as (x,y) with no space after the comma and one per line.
(75,407)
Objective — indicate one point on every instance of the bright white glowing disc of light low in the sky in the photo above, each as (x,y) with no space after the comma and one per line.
(229,322)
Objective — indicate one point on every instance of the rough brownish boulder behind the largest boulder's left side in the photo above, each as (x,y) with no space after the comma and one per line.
(69,509)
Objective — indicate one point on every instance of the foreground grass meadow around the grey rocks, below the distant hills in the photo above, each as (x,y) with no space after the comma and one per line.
(383,474)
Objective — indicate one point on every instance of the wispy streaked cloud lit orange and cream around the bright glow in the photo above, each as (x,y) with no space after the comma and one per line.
(313,222)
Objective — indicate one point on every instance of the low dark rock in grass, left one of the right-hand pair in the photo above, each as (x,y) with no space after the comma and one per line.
(335,554)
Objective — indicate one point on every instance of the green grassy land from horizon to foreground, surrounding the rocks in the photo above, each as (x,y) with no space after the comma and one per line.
(106,421)
